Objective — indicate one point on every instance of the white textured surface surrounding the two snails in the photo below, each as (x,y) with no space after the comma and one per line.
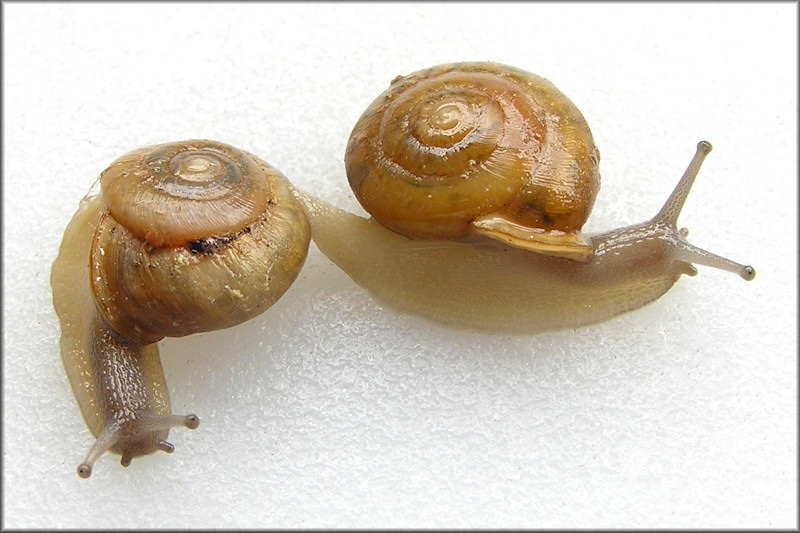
(330,410)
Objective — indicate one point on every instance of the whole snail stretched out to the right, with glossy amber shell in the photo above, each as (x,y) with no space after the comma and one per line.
(478,178)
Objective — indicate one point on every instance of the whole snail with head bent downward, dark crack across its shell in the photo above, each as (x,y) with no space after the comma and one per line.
(183,238)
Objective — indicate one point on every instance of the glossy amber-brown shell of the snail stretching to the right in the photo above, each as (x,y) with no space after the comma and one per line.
(445,146)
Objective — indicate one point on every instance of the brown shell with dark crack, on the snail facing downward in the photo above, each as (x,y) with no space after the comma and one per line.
(197,236)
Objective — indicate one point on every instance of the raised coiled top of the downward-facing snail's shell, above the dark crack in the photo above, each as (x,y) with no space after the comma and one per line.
(175,193)
